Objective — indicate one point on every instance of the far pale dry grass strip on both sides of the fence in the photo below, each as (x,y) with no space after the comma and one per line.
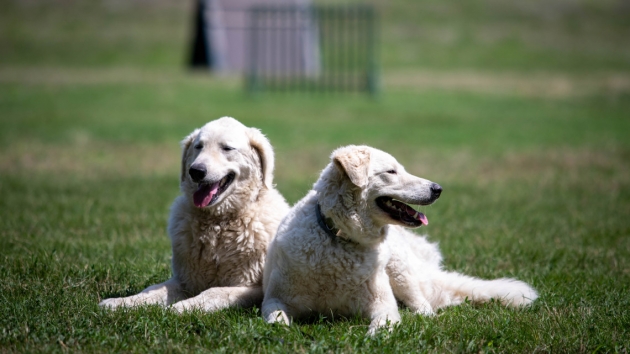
(548,85)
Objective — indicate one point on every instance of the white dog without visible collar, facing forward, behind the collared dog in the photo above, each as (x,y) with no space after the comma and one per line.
(221,225)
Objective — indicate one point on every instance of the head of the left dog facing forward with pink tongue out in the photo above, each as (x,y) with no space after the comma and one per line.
(225,161)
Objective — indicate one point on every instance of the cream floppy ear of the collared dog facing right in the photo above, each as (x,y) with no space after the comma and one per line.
(354,161)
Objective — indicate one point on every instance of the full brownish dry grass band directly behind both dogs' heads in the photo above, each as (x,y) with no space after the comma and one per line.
(605,169)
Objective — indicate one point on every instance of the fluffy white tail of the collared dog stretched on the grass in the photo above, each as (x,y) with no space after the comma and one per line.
(452,288)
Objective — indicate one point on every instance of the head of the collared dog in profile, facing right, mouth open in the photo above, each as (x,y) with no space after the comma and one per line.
(371,187)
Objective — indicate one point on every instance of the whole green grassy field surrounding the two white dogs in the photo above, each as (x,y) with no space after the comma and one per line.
(93,104)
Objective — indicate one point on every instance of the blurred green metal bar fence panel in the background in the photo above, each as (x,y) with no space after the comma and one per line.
(311,49)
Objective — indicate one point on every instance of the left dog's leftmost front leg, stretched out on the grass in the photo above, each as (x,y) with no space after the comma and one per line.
(159,294)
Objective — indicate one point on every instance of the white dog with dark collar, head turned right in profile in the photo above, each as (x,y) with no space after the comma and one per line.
(343,248)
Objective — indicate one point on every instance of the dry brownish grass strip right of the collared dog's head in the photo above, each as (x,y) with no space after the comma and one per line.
(605,169)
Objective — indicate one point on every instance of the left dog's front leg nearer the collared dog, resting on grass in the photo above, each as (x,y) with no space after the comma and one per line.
(215,299)
